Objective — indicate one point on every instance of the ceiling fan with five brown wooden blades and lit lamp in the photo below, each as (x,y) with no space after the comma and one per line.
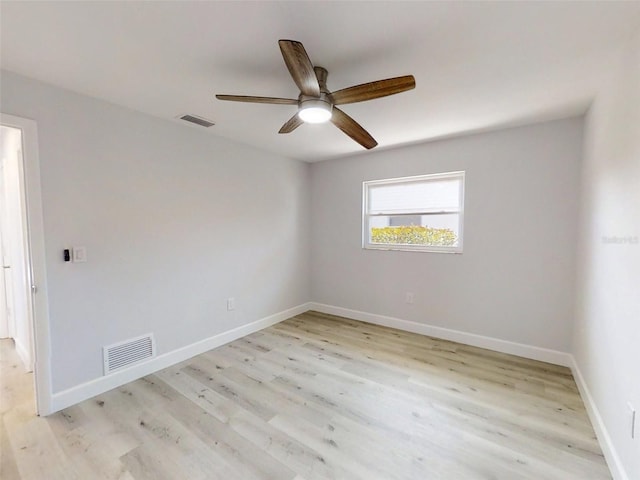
(316,104)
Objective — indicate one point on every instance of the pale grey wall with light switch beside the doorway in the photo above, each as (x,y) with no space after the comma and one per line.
(174,219)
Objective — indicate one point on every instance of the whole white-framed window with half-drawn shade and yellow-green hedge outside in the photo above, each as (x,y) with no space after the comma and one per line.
(421,213)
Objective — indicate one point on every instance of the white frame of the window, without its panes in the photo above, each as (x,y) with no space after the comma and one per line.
(458,249)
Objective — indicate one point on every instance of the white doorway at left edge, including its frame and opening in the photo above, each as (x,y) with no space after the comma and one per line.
(23,303)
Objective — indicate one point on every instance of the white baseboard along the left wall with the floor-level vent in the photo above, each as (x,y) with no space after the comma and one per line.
(100,385)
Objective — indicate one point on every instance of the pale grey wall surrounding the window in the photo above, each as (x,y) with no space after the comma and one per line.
(515,280)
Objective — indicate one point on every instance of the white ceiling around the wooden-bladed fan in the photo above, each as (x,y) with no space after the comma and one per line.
(478,65)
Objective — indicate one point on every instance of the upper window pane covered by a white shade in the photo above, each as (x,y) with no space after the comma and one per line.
(419,196)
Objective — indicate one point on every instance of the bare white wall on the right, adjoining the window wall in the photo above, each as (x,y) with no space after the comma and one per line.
(607,332)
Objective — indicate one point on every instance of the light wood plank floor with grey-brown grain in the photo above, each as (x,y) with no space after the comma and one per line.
(315,397)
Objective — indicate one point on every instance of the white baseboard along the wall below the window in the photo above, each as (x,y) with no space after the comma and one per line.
(522,350)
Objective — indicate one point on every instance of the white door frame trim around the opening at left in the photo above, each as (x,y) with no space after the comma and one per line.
(36,262)
